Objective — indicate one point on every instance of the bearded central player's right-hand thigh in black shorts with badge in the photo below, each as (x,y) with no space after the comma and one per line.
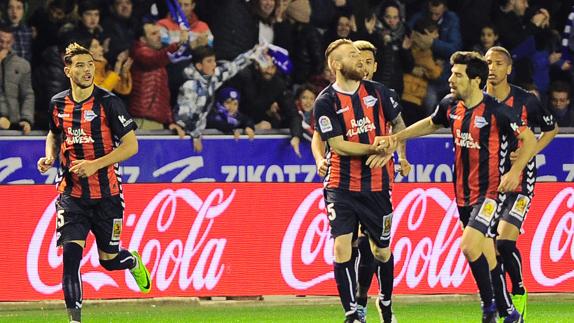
(375,213)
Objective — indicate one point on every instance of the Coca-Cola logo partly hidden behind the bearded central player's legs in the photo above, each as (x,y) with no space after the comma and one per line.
(434,255)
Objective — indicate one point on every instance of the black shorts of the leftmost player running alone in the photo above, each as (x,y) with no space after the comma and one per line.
(104,217)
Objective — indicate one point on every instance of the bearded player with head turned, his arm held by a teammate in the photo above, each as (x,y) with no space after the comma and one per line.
(350,114)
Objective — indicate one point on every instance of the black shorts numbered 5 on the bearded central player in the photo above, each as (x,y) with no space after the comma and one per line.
(372,209)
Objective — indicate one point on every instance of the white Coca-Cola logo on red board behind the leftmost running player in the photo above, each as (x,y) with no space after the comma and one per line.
(196,261)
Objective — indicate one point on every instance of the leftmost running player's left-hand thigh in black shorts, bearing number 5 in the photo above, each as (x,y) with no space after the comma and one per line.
(72,219)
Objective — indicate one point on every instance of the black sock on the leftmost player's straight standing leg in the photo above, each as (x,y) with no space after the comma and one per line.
(72,280)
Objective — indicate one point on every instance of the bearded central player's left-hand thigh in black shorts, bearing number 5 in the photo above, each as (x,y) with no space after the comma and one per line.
(341,213)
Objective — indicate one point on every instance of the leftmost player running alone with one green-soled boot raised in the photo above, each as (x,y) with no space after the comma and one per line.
(88,123)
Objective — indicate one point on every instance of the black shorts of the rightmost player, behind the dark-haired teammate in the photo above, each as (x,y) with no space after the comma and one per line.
(512,209)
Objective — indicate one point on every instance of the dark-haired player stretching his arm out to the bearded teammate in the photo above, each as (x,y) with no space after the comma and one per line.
(480,125)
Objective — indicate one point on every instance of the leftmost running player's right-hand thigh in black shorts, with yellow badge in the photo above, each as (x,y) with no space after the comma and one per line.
(107,224)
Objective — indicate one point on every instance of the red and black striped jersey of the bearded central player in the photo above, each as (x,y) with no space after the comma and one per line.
(358,117)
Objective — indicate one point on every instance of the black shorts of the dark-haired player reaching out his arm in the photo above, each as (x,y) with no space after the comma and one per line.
(478,216)
